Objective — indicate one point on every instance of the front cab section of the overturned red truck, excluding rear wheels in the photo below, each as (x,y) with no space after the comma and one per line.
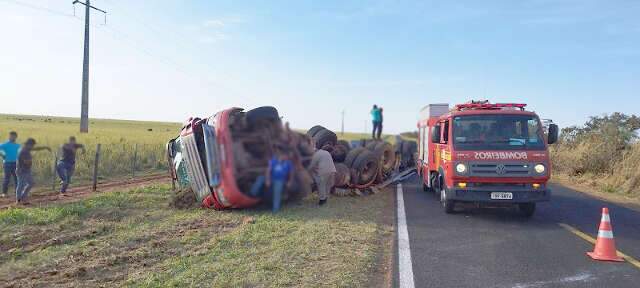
(219,158)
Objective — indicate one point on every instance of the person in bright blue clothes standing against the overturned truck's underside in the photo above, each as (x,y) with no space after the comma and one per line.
(278,176)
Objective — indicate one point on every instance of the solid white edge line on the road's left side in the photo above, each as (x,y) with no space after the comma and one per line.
(405,267)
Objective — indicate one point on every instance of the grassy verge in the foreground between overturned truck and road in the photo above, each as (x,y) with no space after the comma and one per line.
(134,238)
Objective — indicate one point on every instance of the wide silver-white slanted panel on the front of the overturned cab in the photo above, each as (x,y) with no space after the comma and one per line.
(195,171)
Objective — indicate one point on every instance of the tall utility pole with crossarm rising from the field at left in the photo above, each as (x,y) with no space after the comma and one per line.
(84,113)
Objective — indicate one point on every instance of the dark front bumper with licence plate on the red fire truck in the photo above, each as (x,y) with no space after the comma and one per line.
(499,194)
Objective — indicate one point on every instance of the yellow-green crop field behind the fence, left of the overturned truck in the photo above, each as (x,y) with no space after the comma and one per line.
(118,138)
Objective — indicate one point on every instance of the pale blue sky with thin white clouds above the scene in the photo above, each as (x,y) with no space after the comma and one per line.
(168,59)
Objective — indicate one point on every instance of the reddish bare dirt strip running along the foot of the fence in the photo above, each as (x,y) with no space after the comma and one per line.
(73,194)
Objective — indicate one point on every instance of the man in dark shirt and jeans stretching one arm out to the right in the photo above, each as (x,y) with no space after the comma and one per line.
(23,170)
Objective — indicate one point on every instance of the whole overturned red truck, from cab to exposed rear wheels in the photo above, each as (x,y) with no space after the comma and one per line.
(220,159)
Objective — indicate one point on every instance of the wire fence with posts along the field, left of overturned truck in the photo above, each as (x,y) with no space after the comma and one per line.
(114,161)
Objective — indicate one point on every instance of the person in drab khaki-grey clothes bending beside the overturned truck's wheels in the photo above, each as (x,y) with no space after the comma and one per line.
(323,171)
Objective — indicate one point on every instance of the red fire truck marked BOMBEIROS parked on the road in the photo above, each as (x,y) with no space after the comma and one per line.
(485,154)
